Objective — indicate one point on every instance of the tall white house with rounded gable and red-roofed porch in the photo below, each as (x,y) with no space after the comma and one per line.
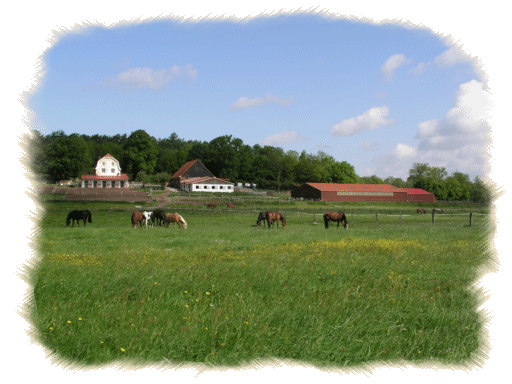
(108,175)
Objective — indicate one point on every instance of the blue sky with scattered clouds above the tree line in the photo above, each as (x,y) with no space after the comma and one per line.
(378,97)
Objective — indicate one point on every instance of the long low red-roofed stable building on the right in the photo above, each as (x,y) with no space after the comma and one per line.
(360,192)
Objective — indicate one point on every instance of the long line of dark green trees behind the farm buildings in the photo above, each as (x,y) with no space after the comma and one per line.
(144,158)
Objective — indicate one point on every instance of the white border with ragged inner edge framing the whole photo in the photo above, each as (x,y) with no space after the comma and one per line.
(30,29)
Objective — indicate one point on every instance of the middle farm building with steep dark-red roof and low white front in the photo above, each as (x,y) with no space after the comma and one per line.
(193,176)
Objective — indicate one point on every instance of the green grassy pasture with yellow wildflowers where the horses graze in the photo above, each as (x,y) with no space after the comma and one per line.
(226,292)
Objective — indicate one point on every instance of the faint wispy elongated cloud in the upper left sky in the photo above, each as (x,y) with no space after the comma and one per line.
(148,78)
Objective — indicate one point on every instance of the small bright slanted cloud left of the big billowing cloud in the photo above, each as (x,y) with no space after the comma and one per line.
(372,119)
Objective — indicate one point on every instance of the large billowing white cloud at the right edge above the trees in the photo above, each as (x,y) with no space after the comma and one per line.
(459,141)
